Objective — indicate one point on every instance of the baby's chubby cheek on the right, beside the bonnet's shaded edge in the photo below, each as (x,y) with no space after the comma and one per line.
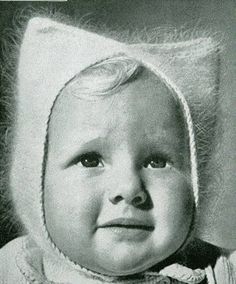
(172,208)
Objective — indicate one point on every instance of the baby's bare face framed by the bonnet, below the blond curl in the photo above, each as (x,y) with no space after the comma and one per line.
(117,189)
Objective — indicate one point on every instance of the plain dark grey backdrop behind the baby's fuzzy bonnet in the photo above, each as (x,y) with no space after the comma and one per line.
(216,15)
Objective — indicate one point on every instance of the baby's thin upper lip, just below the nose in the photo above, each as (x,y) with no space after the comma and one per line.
(128,223)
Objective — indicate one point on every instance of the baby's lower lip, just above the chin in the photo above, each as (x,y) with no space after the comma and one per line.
(127,232)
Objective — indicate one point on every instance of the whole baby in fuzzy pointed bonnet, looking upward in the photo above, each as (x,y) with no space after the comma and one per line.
(106,166)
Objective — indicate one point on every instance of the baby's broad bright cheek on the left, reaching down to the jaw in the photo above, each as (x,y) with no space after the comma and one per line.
(72,206)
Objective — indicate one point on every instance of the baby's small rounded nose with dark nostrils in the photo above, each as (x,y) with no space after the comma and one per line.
(128,188)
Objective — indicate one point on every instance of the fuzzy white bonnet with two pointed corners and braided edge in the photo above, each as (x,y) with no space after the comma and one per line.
(51,54)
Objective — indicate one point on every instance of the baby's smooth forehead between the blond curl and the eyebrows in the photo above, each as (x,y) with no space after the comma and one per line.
(144,109)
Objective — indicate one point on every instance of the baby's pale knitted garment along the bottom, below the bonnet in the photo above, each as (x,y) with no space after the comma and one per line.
(22,262)
